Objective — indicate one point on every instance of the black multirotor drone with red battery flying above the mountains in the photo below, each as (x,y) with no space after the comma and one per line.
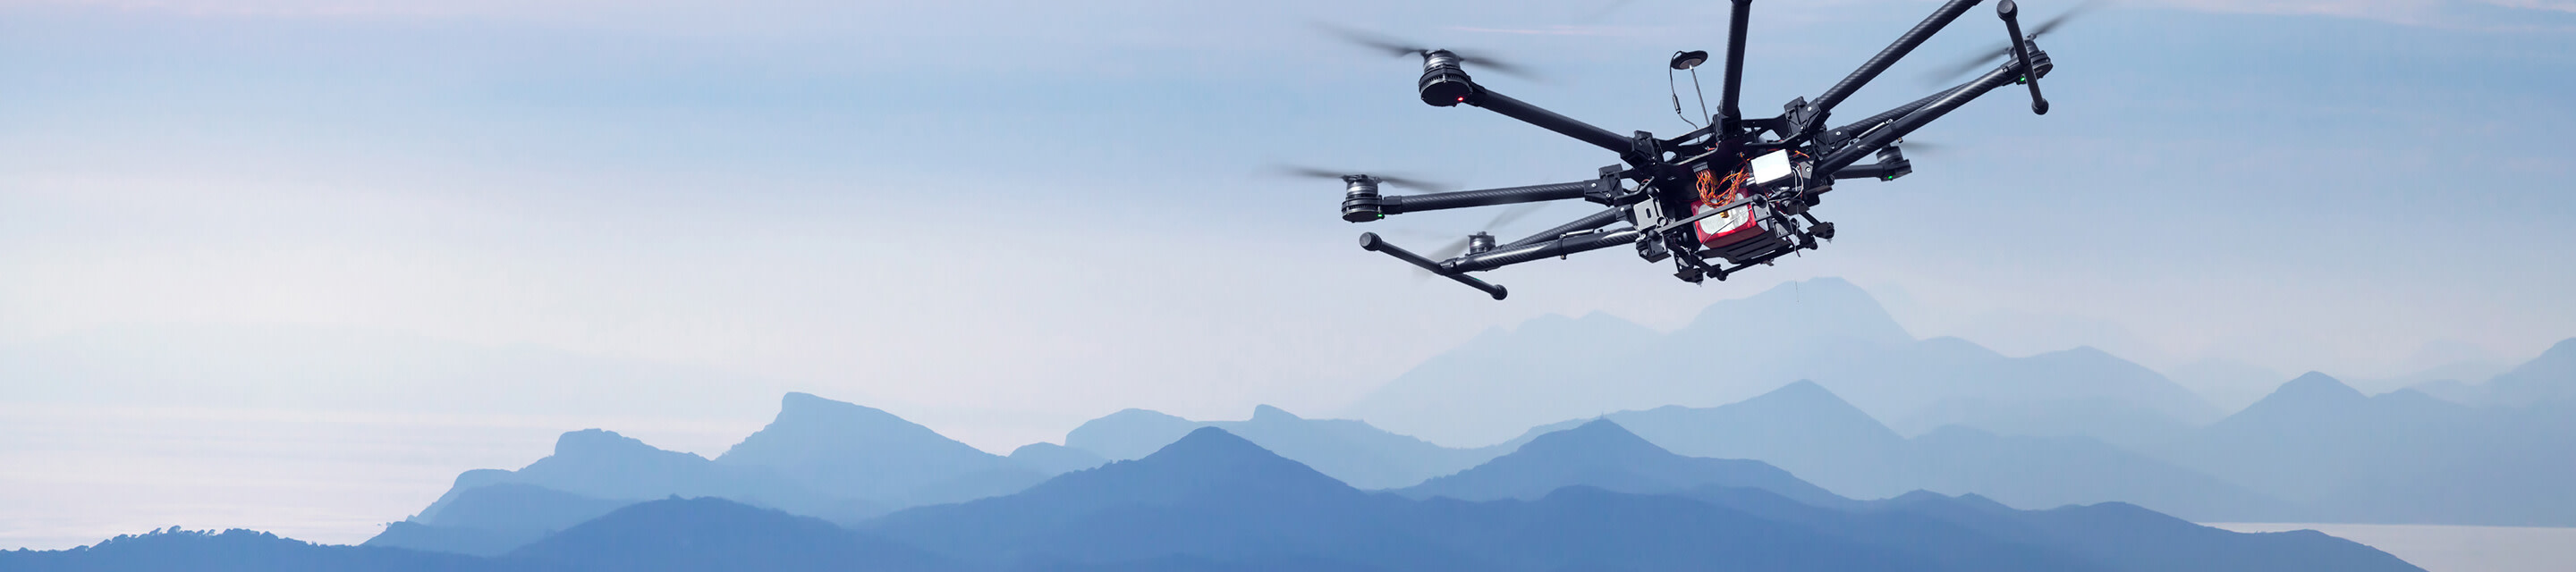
(1719,200)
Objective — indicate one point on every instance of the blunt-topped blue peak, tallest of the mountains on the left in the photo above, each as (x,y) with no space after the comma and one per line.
(869,455)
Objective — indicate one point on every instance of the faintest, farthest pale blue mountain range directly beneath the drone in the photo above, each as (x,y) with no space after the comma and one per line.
(1828,331)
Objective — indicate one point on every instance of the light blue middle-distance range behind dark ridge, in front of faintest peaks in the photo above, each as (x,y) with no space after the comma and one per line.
(1802,429)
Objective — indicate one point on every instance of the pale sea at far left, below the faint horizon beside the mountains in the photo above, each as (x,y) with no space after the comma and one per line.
(79,475)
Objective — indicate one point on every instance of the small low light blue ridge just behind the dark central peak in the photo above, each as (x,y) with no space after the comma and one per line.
(1346,450)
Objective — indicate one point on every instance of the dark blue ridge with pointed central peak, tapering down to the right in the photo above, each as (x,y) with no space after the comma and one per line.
(1215,501)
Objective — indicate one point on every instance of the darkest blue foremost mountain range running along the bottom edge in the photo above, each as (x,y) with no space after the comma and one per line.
(1215,501)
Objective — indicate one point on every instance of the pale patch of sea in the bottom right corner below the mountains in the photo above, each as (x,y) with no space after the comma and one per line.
(2451,548)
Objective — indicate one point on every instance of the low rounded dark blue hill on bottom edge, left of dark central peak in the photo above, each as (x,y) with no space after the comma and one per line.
(715,535)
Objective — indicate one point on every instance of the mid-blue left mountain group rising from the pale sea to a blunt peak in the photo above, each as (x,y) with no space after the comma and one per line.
(818,457)
